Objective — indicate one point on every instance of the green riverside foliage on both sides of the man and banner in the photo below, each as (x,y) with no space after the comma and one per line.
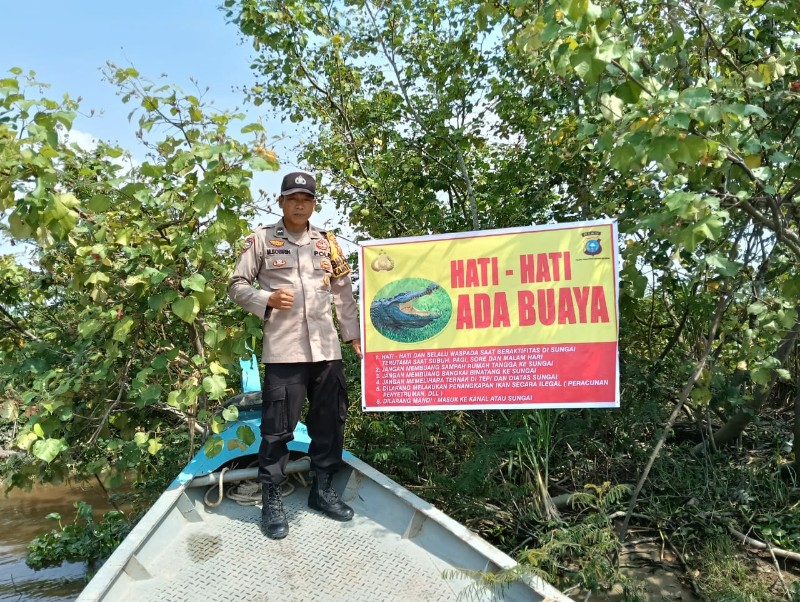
(680,119)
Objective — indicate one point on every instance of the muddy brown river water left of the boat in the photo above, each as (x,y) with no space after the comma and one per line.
(22,518)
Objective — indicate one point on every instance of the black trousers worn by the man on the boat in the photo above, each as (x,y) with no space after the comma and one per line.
(285,389)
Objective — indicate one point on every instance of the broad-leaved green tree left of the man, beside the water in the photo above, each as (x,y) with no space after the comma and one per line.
(120,327)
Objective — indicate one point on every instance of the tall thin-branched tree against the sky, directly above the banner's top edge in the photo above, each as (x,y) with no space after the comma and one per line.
(399,93)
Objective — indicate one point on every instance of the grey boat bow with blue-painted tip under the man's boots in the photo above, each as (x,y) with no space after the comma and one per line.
(397,547)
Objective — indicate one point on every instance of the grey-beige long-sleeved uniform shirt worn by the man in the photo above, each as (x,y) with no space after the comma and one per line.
(304,333)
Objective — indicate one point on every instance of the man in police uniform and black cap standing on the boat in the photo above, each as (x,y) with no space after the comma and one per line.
(298,269)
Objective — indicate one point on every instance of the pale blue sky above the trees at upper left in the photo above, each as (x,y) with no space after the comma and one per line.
(67,43)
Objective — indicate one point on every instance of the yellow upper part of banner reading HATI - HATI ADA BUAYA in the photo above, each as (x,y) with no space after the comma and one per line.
(548,284)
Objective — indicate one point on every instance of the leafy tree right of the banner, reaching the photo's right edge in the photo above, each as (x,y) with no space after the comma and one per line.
(696,103)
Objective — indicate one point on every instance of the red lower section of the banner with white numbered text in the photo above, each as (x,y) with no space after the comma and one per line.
(492,377)
